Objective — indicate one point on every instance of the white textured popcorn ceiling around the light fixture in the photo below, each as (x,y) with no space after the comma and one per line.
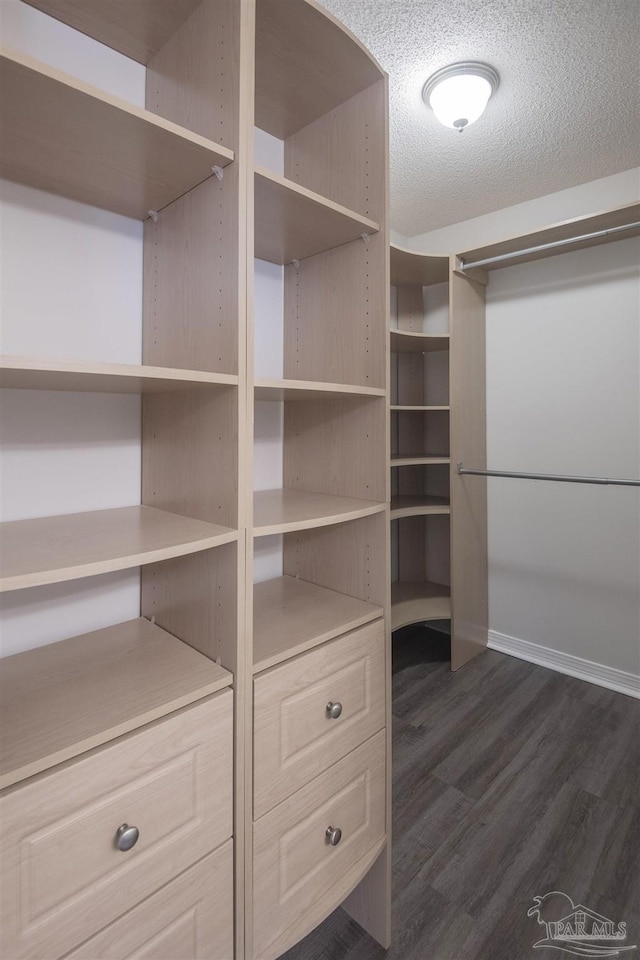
(567,110)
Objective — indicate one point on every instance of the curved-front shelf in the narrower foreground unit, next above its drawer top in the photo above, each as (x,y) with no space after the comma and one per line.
(279,511)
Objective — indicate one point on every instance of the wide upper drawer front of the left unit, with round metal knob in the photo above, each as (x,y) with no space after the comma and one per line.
(63,878)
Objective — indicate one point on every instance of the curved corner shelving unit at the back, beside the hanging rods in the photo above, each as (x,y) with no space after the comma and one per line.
(429,410)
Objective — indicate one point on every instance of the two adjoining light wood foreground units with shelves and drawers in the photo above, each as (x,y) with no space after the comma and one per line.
(185,166)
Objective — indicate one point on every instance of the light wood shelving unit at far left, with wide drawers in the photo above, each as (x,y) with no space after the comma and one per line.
(80,752)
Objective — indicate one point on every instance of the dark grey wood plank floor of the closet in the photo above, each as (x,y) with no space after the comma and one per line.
(510,781)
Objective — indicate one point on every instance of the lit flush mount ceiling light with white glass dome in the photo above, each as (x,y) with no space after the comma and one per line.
(458,94)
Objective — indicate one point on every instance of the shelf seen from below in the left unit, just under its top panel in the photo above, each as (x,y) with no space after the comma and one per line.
(64,136)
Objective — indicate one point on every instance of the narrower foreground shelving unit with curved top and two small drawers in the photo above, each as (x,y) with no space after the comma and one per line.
(318,811)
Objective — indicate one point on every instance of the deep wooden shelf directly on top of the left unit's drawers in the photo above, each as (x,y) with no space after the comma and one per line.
(60,700)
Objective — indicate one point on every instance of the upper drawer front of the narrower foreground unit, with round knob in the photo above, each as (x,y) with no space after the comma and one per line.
(295,736)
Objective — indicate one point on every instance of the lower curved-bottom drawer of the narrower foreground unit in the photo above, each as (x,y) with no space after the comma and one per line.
(299,878)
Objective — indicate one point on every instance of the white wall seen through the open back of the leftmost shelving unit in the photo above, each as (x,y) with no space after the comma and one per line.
(71,289)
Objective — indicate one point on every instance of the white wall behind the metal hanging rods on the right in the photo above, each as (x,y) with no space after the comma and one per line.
(563,373)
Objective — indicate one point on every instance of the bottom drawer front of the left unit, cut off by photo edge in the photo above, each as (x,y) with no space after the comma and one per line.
(189,919)
